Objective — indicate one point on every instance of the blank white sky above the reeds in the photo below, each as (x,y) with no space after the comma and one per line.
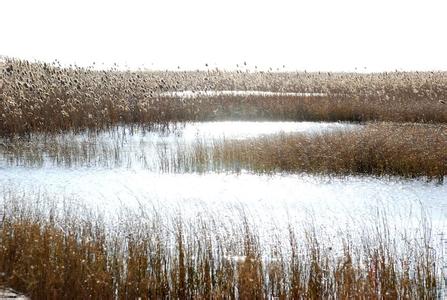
(313,35)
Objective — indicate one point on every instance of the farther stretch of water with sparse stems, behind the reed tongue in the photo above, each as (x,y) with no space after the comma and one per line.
(137,147)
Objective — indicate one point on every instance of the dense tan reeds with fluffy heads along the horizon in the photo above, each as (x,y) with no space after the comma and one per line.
(47,97)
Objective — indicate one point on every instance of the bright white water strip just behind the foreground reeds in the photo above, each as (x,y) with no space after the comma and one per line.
(277,198)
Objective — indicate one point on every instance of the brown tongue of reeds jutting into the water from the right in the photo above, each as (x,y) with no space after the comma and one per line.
(407,150)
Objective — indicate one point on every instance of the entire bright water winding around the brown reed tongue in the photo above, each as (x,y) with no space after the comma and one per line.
(113,176)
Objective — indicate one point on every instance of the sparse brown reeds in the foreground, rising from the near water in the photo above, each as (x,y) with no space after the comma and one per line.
(53,252)
